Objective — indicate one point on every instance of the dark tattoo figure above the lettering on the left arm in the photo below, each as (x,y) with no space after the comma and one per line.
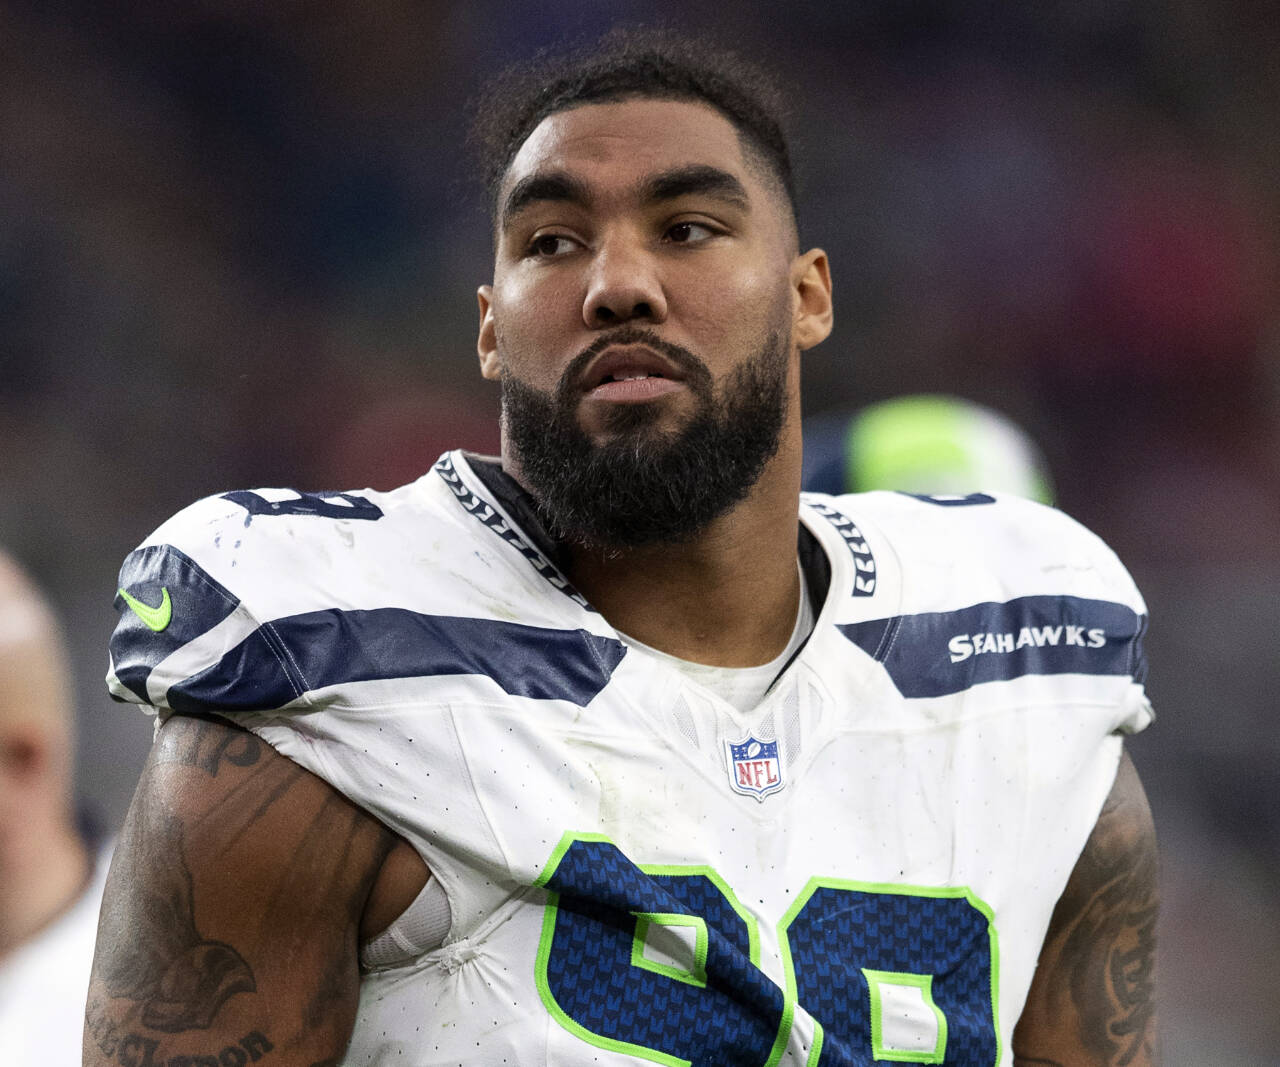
(180,978)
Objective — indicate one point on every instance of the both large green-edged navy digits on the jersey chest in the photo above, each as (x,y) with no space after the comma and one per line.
(664,963)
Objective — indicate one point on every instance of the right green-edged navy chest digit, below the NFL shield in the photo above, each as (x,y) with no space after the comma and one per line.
(904,973)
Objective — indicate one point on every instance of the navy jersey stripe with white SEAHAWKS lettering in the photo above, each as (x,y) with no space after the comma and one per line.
(943,653)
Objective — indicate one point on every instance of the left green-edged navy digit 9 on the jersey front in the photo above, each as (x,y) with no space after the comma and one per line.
(595,977)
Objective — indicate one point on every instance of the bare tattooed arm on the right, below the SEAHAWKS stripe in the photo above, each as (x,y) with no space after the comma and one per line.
(1094,997)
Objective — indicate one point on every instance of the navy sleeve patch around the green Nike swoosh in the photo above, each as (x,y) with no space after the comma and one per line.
(158,576)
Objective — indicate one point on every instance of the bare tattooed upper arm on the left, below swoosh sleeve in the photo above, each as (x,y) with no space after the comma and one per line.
(231,915)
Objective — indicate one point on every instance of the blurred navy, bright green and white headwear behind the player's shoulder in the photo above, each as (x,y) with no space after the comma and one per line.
(932,445)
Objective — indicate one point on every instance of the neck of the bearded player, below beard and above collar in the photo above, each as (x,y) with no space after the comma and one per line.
(729,598)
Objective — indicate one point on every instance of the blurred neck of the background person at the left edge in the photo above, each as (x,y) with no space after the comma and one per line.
(43,876)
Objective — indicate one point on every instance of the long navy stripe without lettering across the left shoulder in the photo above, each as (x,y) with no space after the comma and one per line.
(298,654)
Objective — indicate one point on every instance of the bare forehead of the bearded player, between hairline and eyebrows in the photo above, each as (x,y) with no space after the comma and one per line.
(628,140)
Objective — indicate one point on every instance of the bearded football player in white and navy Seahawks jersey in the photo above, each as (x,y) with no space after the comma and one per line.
(611,750)
